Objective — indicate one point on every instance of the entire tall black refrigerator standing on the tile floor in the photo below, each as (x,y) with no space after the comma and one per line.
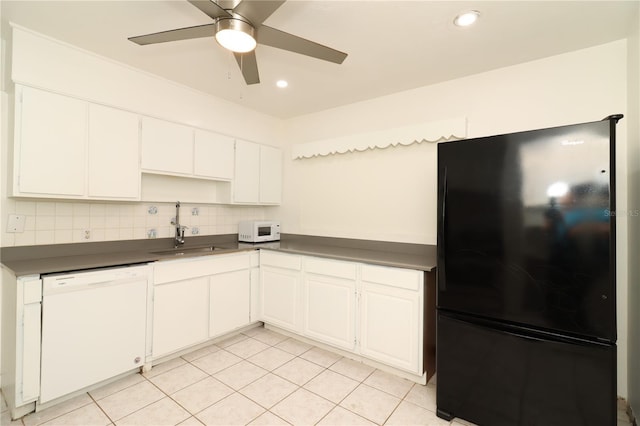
(526,301)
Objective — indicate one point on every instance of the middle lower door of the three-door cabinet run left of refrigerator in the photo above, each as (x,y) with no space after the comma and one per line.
(329,306)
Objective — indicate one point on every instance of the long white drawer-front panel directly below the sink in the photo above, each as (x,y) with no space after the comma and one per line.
(165,272)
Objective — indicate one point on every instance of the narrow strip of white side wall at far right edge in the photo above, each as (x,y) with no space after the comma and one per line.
(634,218)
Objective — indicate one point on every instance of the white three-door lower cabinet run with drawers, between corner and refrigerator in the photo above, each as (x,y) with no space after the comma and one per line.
(372,311)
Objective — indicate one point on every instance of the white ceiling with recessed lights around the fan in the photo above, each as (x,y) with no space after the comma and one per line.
(392,45)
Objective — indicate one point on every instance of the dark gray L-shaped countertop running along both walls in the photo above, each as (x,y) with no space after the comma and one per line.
(27,260)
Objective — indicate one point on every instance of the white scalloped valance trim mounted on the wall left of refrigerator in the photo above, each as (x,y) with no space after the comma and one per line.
(426,132)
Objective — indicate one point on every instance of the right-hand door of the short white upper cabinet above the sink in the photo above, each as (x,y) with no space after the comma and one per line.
(213,155)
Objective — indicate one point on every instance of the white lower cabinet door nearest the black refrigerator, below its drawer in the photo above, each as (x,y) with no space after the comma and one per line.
(391,326)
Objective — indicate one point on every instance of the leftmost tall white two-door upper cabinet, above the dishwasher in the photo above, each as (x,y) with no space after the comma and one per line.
(69,148)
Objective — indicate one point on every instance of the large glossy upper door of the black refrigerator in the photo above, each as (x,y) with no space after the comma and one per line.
(526,229)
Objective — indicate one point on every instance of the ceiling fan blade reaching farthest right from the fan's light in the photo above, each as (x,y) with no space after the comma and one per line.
(281,40)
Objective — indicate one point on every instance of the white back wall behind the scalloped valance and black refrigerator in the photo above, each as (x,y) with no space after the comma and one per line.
(390,194)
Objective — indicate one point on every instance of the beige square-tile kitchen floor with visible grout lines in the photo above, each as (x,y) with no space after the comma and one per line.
(255,378)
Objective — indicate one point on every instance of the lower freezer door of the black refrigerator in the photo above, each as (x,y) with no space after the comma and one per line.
(499,377)
